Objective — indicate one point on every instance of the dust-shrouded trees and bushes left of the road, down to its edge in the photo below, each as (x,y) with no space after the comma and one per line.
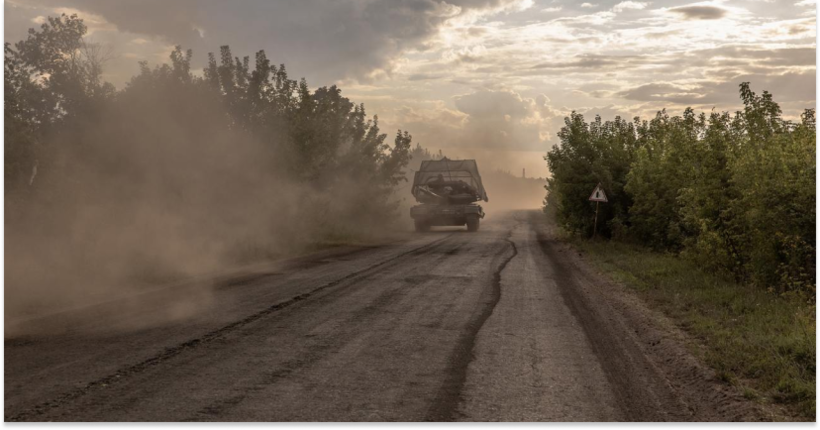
(180,171)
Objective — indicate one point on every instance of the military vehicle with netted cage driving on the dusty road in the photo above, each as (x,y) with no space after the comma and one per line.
(447,190)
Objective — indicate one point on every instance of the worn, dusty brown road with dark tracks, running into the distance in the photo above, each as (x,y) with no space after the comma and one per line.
(449,325)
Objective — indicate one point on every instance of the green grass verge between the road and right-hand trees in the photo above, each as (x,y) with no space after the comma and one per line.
(763,343)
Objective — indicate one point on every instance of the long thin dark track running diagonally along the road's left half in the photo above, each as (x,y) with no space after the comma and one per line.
(121,374)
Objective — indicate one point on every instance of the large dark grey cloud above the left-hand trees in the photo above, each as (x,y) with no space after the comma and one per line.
(326,41)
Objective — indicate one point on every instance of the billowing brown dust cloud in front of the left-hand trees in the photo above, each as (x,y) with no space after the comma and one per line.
(151,194)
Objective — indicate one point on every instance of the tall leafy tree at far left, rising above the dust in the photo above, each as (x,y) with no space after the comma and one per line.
(52,82)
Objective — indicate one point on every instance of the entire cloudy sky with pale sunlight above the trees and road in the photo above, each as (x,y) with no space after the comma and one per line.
(485,79)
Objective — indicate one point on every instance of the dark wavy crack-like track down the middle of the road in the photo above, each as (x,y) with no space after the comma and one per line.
(448,398)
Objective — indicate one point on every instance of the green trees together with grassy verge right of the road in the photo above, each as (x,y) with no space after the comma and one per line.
(712,218)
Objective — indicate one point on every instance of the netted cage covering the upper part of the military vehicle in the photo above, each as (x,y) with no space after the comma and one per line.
(448,182)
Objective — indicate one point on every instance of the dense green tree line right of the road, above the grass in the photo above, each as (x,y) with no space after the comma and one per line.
(735,192)
